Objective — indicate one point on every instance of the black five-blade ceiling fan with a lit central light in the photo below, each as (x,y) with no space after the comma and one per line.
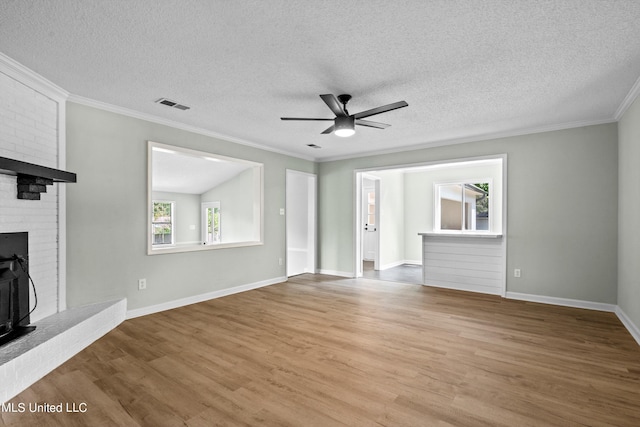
(344,123)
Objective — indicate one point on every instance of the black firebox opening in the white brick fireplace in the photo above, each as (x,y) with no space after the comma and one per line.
(14,286)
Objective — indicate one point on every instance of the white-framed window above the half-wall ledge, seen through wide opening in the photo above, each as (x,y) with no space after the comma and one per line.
(462,206)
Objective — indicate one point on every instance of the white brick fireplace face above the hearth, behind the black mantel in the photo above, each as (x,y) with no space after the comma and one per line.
(30,131)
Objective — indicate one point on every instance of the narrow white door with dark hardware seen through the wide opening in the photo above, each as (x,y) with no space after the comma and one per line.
(370,220)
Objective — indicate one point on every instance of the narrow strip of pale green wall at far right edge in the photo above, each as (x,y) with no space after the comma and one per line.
(629,213)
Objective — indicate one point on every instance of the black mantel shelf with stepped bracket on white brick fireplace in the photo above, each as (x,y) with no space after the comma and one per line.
(33,179)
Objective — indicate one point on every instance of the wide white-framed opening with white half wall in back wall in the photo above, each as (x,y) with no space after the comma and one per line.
(410,204)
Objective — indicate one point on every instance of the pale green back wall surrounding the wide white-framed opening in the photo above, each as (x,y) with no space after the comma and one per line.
(562,209)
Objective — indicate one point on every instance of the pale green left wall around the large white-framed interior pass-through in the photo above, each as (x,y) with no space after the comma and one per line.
(106,215)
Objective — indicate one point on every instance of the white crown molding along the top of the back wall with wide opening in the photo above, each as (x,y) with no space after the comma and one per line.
(476,138)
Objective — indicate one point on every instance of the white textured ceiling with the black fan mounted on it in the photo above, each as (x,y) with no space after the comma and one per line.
(468,69)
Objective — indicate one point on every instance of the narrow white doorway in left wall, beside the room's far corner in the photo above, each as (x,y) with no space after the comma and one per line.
(300,222)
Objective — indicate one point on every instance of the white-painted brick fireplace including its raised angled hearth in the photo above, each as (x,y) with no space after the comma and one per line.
(32,129)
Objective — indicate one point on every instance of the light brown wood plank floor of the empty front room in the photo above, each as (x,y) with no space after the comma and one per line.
(326,351)
